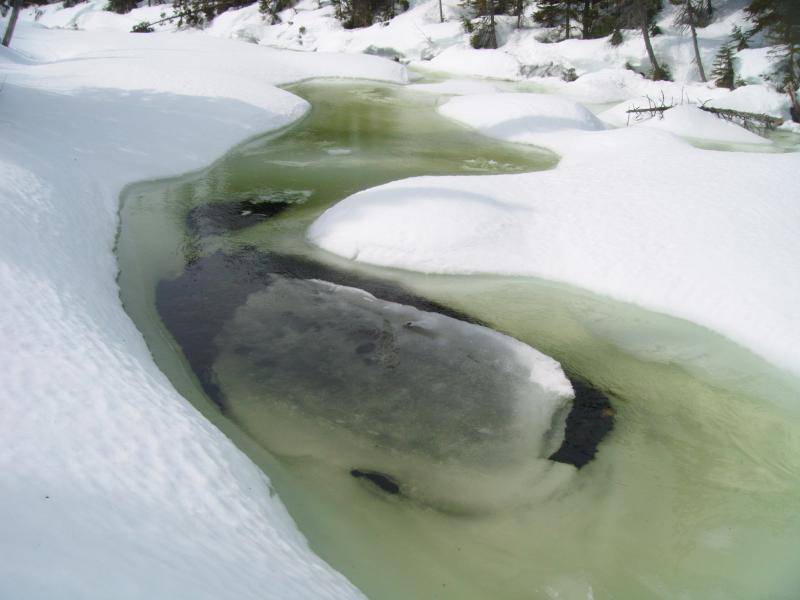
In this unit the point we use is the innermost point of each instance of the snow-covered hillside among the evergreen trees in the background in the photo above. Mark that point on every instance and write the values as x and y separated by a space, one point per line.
417 37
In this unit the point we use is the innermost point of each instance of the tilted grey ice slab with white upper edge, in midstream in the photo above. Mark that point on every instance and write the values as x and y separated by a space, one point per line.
410 381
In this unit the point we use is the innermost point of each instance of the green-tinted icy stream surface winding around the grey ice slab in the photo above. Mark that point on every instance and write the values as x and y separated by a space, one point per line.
695 494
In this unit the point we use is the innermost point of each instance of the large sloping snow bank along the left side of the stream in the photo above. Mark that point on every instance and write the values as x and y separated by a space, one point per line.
111 484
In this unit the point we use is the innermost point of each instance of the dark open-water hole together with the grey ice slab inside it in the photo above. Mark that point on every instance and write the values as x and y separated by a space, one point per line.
435 399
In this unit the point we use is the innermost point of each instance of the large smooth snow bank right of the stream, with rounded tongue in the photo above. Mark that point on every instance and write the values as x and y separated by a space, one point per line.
633 213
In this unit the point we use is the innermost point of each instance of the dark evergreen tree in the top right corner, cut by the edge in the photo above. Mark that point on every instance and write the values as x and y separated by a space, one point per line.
780 22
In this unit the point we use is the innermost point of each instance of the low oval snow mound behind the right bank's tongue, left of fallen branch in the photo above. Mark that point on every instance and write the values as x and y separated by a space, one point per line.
513 116
